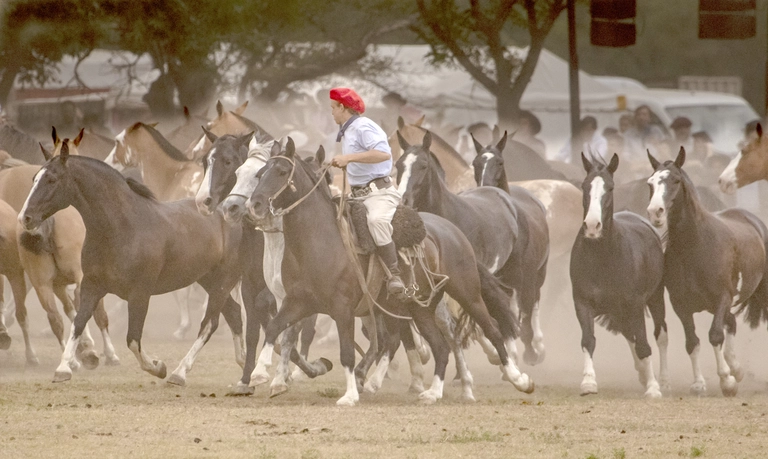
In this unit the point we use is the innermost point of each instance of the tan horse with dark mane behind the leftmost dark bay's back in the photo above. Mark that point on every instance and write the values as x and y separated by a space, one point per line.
164 169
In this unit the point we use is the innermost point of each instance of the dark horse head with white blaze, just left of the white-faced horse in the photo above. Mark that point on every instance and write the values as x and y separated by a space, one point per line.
227 153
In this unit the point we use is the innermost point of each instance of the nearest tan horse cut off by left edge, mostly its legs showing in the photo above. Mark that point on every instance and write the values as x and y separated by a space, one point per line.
10 267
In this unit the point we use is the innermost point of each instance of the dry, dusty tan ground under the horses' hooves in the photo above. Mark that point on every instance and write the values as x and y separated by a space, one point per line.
122 411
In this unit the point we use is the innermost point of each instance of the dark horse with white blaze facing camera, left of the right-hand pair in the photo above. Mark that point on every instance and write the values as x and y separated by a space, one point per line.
616 270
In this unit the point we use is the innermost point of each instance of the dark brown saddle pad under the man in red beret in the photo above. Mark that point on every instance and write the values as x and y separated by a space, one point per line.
408 227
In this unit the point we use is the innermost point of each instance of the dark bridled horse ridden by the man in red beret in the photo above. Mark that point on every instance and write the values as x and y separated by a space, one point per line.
319 276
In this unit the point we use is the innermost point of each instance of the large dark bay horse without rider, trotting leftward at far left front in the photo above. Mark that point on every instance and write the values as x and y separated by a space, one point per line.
136 247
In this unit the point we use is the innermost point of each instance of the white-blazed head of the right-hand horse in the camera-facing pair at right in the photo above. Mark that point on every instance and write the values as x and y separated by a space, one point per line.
666 182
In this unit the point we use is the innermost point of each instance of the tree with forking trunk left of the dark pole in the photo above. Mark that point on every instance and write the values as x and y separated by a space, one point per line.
476 35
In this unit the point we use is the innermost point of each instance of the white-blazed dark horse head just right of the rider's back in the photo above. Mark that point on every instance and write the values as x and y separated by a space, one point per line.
415 169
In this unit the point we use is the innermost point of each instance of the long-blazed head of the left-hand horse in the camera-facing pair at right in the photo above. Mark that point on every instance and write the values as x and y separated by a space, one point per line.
597 195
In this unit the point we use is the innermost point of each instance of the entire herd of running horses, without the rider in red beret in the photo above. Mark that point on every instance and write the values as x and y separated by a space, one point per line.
235 211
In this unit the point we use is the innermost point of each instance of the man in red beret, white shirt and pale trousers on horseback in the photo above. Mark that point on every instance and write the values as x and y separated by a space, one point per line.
368 160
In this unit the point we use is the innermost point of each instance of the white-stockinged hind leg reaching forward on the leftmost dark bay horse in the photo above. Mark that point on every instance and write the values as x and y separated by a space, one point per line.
218 300
